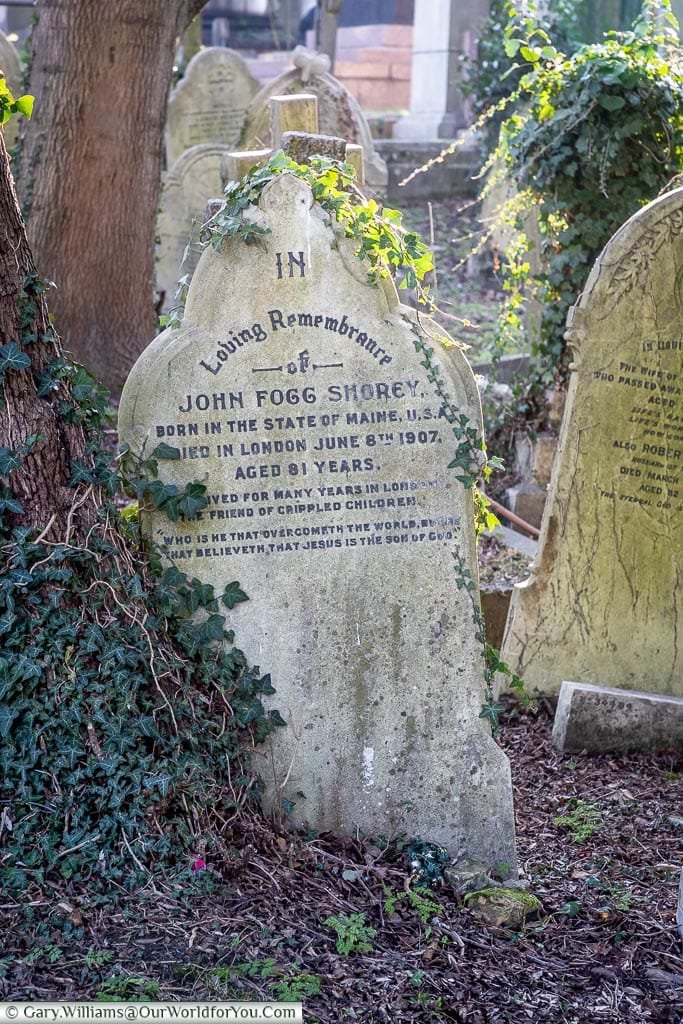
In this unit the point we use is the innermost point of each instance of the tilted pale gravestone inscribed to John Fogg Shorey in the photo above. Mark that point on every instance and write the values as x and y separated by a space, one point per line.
309 402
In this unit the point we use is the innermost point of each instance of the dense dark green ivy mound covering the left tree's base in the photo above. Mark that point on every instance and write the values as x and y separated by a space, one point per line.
127 720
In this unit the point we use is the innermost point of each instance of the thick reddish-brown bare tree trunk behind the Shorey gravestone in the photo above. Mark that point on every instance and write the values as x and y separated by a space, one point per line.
92 167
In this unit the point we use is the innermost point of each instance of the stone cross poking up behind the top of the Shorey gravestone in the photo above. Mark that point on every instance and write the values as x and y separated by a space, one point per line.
294 125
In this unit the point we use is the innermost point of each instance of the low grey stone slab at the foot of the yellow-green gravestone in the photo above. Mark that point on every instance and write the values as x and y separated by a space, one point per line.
603 720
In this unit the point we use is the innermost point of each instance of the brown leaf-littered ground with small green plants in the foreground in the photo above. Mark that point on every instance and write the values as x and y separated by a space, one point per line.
604 949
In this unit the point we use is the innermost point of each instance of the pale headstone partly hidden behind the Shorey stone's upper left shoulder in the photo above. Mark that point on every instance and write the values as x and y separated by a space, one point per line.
194 180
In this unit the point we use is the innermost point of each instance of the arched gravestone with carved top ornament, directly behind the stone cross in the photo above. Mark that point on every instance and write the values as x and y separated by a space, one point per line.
338 114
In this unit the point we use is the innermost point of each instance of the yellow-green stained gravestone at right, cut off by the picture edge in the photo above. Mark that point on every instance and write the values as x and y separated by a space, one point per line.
604 604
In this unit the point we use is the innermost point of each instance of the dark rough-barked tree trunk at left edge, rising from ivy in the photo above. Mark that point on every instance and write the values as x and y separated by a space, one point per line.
39 484
